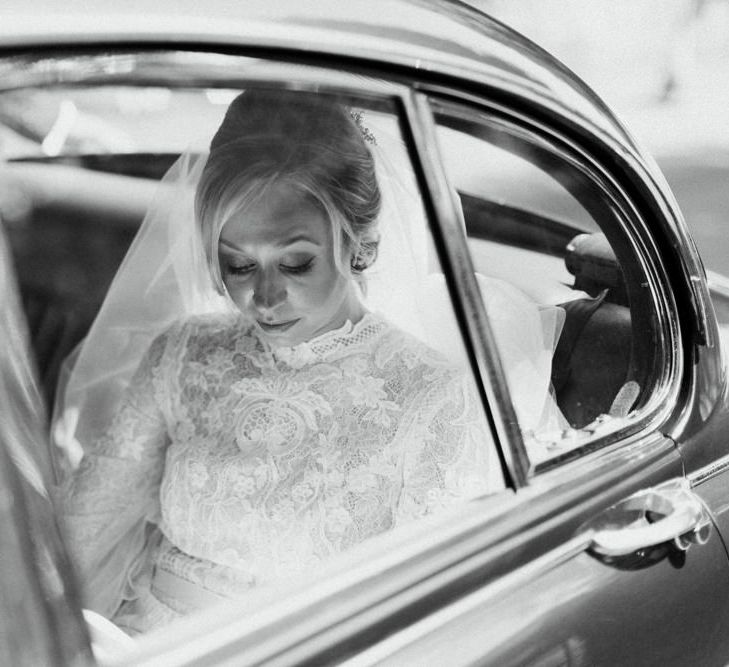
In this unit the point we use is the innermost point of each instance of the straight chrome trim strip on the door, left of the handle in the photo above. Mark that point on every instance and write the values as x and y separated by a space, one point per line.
483 597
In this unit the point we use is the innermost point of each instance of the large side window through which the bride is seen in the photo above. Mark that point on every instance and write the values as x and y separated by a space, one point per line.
272 375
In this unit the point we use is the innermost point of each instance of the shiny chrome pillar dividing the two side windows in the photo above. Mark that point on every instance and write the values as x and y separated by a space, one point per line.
458 258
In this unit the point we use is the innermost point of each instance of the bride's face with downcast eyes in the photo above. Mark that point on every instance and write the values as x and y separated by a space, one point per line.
277 263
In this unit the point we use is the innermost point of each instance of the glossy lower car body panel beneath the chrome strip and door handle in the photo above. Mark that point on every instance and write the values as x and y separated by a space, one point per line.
568 610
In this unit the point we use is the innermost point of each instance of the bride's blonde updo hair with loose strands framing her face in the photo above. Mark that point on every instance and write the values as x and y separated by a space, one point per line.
304 140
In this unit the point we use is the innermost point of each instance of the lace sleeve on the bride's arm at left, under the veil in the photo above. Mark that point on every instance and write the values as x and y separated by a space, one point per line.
110 503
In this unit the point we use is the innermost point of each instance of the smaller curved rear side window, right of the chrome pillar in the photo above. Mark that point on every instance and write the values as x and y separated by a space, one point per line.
545 231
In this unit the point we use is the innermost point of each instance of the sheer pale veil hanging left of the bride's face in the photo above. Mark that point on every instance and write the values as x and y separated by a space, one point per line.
163 278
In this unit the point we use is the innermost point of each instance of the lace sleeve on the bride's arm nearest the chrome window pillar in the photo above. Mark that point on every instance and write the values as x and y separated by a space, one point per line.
454 458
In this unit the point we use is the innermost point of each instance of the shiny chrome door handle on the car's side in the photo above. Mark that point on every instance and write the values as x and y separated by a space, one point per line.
670 512
